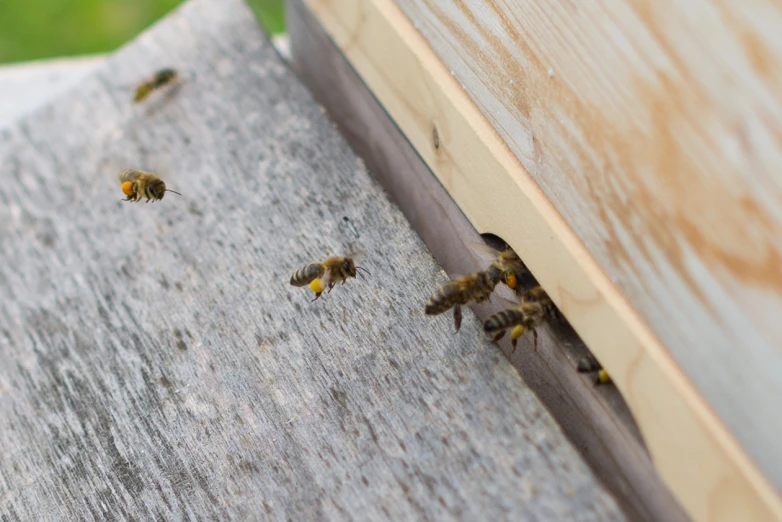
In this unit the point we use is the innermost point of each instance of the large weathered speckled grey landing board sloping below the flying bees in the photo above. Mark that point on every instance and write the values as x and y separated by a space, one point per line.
156 363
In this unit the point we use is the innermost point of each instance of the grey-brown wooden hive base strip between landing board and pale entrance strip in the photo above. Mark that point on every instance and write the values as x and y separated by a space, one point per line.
595 419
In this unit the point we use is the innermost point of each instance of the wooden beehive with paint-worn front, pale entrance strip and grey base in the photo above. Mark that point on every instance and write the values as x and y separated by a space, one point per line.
631 153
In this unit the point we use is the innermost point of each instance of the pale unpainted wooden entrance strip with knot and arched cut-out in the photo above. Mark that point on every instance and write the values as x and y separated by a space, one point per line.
699 459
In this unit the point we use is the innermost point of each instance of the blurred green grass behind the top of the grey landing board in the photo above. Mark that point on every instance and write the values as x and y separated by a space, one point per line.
33 29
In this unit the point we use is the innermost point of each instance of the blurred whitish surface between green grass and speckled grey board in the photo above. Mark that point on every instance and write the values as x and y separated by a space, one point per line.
25 86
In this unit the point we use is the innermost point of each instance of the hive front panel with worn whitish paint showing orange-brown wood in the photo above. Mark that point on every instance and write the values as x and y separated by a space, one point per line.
654 128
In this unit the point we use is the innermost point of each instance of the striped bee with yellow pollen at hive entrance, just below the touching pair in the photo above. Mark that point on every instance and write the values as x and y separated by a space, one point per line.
536 308
